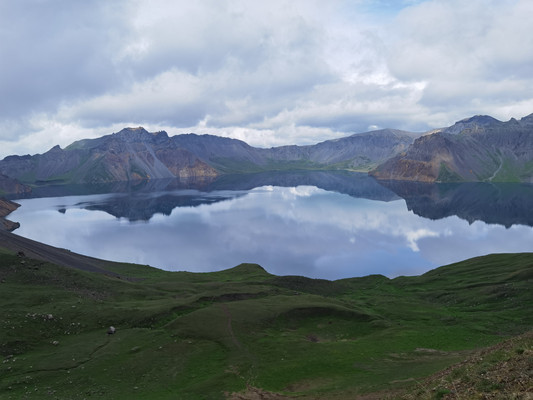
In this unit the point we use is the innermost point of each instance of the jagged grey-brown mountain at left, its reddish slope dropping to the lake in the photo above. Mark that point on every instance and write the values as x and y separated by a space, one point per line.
131 154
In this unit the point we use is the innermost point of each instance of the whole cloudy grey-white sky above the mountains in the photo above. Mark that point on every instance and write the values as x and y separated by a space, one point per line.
267 72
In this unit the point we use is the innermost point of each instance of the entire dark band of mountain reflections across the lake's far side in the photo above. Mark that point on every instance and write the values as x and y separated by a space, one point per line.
505 204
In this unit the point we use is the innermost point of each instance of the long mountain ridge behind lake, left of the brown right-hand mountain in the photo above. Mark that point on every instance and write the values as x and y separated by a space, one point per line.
135 154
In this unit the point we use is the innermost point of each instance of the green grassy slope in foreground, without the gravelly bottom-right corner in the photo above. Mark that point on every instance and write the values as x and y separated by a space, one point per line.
242 332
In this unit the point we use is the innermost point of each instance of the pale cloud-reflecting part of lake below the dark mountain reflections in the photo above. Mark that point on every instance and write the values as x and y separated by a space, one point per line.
289 231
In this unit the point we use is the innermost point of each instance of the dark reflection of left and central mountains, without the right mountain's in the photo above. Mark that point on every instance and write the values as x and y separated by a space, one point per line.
140 201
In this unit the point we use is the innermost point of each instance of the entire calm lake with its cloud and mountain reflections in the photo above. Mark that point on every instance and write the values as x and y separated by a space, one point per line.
328 225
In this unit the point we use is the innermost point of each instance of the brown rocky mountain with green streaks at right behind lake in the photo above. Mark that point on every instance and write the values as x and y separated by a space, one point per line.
480 148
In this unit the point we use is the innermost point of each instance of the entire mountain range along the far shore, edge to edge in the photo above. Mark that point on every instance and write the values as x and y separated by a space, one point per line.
479 148
